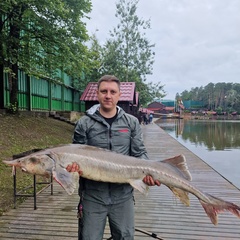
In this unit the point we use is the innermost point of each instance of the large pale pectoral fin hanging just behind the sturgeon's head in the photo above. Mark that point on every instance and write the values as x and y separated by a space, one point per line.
66 179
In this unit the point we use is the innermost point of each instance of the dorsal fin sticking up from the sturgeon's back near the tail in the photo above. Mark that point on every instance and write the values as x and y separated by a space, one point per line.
180 163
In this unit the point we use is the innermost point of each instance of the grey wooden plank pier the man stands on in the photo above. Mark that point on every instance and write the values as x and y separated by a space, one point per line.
159 213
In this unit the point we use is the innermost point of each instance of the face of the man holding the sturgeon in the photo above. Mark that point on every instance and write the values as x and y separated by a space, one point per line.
108 95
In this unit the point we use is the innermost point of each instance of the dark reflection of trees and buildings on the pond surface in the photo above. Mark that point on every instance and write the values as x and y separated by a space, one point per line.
215 135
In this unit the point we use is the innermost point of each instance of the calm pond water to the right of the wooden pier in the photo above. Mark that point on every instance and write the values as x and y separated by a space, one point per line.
215 142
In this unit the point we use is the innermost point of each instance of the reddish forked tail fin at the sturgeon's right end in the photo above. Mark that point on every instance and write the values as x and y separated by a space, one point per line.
217 205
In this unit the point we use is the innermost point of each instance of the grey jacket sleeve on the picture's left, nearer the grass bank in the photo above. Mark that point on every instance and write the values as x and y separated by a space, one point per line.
79 135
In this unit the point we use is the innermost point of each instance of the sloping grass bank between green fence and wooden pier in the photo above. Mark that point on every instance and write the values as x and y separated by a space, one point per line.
20 134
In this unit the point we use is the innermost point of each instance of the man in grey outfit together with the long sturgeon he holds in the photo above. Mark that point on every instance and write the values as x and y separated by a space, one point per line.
107 177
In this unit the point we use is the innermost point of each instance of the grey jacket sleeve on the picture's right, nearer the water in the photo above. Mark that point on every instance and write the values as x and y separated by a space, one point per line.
137 144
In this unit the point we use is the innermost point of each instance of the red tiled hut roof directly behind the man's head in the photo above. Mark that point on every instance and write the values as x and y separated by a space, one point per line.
127 92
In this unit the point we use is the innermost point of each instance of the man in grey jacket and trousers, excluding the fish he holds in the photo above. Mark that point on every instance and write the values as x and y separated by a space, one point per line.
106 125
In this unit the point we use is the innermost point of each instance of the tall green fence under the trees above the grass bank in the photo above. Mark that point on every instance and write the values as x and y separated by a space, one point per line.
38 94
